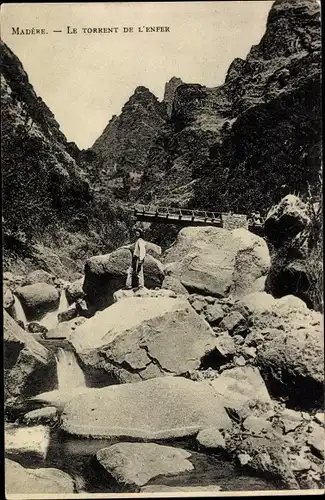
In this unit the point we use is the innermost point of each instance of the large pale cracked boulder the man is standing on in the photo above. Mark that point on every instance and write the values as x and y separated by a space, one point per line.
140 338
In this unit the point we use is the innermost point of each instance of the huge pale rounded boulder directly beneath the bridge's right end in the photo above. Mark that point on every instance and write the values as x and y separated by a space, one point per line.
214 261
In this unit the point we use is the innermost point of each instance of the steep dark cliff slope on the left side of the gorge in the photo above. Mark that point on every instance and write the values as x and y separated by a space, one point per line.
50 200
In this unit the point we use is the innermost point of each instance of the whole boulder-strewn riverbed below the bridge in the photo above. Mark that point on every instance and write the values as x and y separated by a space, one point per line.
202 380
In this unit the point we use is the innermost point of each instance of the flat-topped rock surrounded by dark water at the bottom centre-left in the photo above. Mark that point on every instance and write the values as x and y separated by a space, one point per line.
134 464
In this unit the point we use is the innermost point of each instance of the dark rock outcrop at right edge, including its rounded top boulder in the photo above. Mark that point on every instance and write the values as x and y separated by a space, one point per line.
294 230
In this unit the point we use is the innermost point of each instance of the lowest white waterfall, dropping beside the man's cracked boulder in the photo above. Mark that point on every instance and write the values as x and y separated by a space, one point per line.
69 373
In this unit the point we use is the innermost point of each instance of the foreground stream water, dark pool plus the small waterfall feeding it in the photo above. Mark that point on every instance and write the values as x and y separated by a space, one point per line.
76 456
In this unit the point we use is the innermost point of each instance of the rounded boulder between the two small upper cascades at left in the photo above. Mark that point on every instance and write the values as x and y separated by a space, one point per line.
37 299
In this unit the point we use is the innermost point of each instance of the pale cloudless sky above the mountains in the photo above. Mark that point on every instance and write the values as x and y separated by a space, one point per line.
86 78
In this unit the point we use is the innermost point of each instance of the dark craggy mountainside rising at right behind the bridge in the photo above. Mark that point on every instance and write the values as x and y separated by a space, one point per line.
240 146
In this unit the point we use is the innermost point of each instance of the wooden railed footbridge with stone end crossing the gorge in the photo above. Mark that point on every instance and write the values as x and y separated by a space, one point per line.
188 217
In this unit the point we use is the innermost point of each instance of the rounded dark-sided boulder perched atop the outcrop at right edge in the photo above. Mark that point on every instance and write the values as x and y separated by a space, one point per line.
285 220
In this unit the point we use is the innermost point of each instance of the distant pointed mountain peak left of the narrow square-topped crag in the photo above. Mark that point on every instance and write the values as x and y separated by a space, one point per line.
124 144
